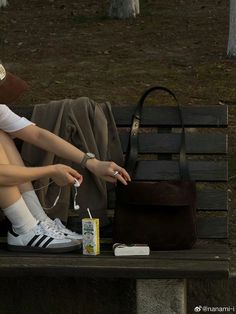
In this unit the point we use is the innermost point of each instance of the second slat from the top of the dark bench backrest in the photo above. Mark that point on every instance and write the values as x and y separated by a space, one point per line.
150 143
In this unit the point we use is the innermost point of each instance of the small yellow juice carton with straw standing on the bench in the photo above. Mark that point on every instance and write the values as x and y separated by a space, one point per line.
91 241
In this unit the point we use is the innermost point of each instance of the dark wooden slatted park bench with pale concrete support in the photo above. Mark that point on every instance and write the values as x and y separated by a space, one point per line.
162 275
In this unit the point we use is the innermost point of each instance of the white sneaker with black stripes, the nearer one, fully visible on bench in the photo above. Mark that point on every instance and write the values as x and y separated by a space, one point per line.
42 238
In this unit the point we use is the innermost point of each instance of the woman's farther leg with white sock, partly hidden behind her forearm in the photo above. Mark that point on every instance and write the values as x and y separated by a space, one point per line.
26 189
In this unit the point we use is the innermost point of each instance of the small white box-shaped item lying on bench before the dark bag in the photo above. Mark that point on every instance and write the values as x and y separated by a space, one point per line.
129 250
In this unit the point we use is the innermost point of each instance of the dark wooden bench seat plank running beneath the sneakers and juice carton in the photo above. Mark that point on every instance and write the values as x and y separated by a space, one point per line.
112 267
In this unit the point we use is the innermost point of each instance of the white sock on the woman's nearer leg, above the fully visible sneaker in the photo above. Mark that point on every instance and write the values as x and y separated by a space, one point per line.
21 218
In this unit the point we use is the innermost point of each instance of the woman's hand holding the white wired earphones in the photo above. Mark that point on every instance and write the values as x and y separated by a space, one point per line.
63 175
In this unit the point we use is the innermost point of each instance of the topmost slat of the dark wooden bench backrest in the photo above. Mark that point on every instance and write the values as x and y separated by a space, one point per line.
214 116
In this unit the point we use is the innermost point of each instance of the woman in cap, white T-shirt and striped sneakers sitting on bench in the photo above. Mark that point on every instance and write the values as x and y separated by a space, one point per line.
32 230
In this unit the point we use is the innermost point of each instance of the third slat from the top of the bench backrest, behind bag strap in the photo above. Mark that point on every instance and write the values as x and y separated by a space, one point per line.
169 170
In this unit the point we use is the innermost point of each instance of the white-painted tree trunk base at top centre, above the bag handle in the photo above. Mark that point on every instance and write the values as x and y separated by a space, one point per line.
124 9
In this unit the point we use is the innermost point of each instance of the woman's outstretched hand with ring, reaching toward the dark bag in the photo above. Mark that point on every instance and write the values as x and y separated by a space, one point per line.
108 170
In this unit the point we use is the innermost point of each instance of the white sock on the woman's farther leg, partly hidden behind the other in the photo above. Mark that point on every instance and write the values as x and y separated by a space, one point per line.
32 201
